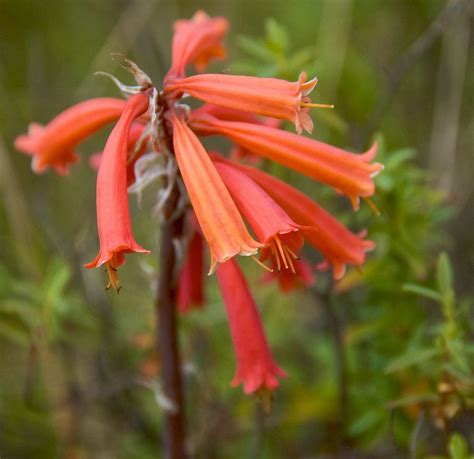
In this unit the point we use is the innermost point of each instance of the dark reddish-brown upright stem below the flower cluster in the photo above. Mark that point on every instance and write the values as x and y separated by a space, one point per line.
167 338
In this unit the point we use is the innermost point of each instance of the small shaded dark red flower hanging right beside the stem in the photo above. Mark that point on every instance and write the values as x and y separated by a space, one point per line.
191 277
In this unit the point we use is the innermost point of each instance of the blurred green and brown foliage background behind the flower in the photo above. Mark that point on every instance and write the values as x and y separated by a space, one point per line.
380 364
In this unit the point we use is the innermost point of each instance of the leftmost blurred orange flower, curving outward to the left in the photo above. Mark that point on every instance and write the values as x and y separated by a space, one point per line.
53 145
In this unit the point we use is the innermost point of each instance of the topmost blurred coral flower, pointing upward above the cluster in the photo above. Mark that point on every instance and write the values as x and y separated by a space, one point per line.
197 41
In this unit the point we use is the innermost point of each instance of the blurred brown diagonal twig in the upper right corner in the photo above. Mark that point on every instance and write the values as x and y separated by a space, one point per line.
422 44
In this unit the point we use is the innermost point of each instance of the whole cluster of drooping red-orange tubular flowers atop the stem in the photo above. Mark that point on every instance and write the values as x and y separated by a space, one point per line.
236 209
